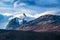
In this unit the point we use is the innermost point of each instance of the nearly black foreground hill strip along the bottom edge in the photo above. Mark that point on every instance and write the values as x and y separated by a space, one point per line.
28 35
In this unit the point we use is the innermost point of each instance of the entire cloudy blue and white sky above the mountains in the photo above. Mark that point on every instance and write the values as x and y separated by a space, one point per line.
32 8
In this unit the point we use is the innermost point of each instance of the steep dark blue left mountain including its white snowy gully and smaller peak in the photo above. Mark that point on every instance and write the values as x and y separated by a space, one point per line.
14 23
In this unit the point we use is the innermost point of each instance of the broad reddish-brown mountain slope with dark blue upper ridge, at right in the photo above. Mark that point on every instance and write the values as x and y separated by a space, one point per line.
43 23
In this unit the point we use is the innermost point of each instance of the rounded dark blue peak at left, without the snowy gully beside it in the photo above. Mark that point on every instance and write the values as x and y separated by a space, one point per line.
14 23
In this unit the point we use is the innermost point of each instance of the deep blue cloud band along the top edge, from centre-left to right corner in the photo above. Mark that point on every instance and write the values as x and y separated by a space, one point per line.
40 2
